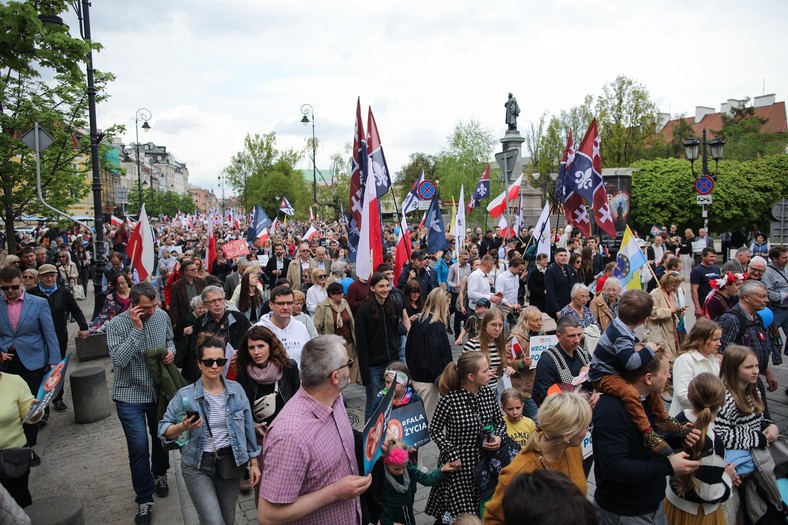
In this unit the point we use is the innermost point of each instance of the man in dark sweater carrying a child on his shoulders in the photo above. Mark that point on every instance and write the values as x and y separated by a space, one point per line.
630 479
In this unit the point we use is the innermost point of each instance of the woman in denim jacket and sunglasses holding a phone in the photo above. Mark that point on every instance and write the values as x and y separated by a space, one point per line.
218 416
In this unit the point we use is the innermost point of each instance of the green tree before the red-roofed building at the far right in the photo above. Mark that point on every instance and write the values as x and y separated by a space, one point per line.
744 135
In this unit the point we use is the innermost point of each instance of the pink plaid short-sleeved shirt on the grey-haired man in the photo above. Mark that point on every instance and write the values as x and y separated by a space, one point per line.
309 446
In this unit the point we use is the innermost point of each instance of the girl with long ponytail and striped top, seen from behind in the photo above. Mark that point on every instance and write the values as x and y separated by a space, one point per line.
695 499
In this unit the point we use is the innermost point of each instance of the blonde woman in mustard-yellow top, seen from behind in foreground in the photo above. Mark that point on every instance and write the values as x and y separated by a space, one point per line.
563 424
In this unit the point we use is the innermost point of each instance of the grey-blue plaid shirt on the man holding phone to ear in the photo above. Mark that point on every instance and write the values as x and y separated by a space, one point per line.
133 382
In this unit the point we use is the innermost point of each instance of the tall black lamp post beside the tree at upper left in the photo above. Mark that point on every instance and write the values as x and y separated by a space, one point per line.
82 10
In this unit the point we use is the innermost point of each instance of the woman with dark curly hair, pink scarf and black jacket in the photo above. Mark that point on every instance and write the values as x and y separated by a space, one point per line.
268 376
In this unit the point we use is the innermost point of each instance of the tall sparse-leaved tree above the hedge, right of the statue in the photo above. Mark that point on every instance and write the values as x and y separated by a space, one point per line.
627 119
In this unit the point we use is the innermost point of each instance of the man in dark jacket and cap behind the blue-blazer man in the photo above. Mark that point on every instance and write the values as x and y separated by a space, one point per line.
61 303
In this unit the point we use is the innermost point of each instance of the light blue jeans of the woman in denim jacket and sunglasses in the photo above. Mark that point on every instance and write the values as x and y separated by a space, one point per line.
214 499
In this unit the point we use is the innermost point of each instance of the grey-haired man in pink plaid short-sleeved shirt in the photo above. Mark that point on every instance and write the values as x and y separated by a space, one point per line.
310 473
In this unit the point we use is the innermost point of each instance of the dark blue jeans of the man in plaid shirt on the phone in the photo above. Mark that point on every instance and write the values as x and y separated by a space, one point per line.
144 464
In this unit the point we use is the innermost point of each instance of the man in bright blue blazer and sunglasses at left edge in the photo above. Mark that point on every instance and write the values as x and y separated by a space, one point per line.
28 343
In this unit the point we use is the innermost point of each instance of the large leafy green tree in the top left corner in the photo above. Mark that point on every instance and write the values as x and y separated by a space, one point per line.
58 103
